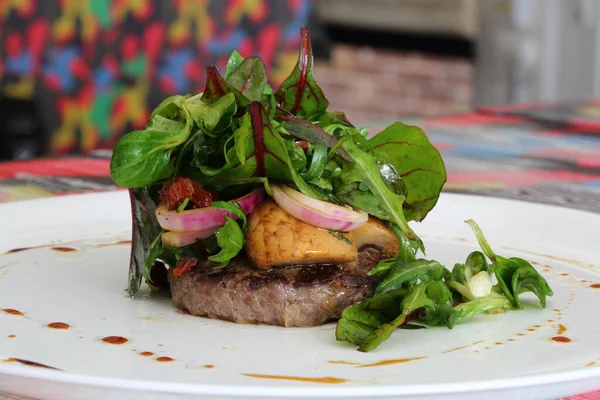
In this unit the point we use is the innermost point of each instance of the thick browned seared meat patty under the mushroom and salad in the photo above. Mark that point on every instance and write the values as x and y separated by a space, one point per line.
304 295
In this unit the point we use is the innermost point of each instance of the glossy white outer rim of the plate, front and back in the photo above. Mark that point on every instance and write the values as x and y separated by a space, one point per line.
293 389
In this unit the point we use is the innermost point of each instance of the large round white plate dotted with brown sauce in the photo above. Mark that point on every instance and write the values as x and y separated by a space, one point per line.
505 356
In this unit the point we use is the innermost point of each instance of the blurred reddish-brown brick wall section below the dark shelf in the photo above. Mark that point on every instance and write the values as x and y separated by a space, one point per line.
373 84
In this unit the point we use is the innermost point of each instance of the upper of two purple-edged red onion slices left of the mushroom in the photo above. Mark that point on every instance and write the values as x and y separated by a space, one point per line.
202 219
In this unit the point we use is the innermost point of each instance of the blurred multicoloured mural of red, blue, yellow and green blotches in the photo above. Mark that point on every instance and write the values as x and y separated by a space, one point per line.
98 67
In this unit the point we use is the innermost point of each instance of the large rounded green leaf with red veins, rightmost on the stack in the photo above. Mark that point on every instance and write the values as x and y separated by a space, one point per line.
416 161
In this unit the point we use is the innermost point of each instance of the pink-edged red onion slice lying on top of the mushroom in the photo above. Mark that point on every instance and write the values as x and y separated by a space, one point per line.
317 212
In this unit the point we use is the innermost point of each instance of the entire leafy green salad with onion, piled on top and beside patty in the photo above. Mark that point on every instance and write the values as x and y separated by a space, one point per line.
205 161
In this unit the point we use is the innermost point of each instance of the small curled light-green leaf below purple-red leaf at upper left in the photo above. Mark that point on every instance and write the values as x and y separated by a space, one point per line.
215 117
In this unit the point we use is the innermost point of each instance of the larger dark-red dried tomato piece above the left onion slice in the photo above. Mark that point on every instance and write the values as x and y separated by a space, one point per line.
174 193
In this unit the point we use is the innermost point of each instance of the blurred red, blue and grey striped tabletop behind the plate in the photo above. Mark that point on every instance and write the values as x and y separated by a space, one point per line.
543 153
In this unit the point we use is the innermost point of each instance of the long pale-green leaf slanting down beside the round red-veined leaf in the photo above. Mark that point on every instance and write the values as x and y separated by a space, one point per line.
365 170
